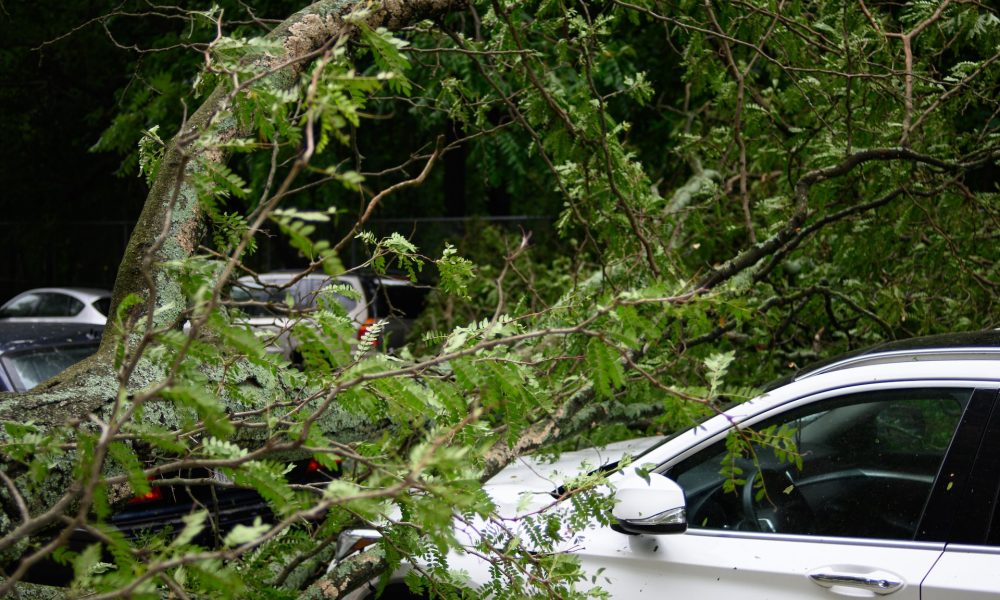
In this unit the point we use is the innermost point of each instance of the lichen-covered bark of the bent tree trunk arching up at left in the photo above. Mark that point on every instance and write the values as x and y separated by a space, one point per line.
85 388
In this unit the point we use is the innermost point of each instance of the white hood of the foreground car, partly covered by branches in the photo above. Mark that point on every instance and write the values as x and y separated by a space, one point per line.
539 476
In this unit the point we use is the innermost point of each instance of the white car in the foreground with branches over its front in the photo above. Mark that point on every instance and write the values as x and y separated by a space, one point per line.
893 488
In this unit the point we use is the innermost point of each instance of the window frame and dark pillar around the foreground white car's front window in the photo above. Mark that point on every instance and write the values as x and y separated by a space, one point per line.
970 432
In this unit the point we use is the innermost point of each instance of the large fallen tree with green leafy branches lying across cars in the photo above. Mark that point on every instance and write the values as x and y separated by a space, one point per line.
788 218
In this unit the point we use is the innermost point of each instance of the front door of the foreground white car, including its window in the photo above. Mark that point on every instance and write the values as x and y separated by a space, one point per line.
825 500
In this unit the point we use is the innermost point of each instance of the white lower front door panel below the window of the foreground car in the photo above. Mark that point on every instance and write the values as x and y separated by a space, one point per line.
693 564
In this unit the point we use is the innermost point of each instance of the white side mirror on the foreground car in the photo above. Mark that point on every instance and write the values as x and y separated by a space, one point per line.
654 505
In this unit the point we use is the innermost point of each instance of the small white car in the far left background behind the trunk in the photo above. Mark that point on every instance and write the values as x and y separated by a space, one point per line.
58 305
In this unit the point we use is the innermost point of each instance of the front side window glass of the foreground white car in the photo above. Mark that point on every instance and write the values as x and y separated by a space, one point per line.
861 465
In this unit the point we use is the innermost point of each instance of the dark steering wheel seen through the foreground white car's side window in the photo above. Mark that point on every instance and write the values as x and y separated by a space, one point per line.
782 508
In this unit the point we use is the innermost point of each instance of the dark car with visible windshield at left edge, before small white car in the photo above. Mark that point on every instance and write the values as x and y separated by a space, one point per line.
31 352
